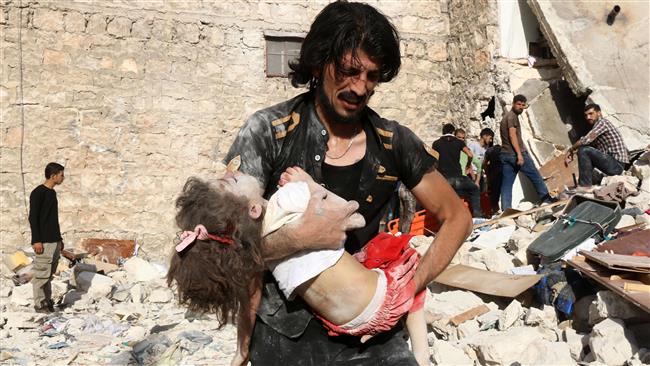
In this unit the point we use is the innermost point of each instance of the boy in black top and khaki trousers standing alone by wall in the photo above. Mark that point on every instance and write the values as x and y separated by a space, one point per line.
46 236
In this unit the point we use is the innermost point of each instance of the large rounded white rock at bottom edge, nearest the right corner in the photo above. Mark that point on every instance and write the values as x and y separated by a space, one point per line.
611 343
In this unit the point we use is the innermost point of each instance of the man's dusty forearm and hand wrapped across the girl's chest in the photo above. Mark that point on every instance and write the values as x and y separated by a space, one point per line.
322 226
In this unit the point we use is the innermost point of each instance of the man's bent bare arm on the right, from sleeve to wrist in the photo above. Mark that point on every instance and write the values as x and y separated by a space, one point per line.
435 194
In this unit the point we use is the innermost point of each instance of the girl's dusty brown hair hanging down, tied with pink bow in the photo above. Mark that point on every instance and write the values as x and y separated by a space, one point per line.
211 276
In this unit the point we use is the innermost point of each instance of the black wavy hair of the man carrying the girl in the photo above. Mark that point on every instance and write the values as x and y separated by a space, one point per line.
343 27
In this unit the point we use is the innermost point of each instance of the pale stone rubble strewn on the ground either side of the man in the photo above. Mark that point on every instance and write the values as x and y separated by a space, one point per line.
534 313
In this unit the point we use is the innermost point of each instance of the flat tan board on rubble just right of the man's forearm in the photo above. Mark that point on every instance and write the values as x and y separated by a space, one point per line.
486 282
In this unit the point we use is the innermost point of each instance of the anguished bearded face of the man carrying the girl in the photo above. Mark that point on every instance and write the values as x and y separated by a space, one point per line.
343 96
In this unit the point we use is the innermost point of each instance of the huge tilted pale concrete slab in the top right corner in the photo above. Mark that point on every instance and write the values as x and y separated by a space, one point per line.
623 99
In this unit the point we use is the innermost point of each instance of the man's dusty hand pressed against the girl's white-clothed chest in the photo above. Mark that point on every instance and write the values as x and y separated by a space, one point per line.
325 221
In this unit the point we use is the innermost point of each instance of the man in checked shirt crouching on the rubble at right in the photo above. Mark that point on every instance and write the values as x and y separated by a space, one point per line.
603 148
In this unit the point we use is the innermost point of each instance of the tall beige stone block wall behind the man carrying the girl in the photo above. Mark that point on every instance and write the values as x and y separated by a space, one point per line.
134 97
